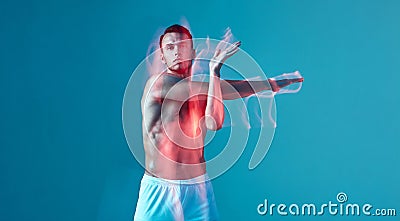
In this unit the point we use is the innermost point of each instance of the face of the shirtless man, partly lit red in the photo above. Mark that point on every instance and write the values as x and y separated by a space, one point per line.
177 52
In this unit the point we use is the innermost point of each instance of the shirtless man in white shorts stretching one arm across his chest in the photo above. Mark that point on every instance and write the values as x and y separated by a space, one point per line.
177 112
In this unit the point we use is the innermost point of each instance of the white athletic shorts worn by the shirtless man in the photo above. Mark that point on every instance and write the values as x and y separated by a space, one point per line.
176 200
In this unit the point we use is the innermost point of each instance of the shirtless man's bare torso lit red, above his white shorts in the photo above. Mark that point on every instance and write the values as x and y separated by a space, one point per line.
173 132
